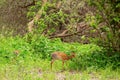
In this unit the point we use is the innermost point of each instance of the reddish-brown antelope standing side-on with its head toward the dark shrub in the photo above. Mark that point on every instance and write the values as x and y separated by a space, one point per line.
61 56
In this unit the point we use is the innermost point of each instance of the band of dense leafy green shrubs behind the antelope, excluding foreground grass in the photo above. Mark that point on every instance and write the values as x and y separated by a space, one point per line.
34 48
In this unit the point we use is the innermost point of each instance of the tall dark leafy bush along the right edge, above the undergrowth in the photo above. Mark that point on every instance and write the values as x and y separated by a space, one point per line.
107 13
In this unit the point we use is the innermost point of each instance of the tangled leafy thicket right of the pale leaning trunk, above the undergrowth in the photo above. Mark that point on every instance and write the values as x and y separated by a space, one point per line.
104 21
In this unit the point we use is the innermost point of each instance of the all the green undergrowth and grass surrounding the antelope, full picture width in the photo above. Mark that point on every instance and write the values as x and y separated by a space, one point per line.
32 62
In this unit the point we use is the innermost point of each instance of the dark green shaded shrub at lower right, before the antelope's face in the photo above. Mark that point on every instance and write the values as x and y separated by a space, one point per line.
96 59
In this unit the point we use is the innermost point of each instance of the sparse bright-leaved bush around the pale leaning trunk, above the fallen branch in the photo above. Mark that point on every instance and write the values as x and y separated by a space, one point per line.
54 17
